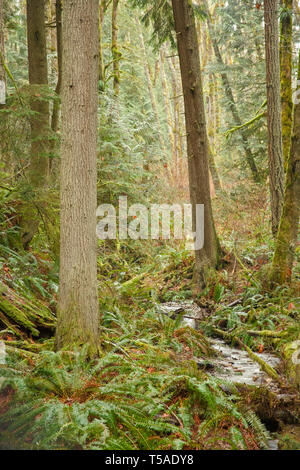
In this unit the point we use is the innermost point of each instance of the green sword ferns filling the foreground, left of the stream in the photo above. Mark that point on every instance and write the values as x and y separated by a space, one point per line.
138 395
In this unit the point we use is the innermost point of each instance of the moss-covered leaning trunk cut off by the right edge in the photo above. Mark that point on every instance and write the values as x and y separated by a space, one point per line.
289 224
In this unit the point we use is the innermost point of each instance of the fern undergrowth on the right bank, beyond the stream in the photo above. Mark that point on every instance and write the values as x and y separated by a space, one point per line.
262 320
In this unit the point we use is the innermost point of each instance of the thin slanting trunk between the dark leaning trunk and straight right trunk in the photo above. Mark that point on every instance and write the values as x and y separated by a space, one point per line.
231 101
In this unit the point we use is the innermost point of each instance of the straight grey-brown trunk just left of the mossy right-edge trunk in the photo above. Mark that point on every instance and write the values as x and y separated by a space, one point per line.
276 173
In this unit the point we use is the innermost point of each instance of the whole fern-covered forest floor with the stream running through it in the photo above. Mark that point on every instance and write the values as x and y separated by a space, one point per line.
160 380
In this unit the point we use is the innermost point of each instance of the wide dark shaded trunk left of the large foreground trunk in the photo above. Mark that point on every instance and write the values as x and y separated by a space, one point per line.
39 121
